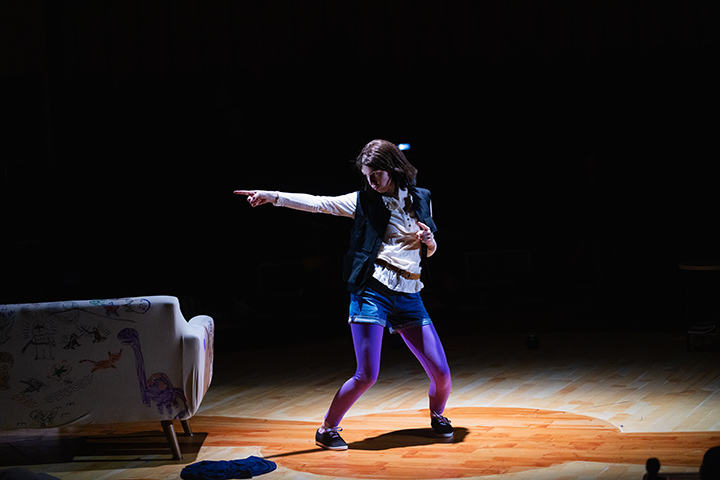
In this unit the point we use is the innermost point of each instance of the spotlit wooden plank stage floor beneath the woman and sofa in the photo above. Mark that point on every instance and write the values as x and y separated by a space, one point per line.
584 405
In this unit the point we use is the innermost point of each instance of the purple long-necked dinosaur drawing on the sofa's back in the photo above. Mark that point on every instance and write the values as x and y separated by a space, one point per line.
157 388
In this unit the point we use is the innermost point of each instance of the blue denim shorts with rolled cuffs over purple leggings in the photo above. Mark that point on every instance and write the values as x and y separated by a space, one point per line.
378 305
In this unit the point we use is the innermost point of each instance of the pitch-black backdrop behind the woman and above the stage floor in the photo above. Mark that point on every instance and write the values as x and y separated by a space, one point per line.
570 148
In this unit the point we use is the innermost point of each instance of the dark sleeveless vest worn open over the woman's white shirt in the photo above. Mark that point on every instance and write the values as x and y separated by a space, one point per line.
371 221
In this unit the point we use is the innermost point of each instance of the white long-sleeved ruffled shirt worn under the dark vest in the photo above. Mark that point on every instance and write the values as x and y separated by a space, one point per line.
400 246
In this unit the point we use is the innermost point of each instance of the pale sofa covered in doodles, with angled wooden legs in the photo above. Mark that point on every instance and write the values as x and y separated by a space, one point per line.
103 361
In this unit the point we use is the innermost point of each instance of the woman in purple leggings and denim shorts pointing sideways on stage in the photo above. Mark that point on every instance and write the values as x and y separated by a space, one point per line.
392 235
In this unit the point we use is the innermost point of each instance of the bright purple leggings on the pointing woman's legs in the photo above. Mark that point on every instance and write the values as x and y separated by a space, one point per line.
423 341
